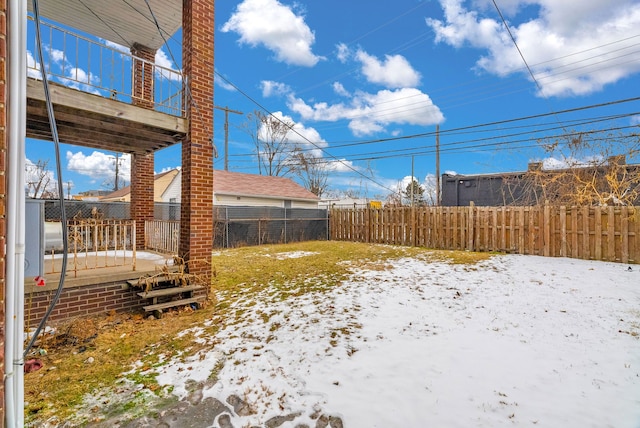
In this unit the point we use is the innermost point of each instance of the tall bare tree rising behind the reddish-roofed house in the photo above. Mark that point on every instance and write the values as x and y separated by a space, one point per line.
272 146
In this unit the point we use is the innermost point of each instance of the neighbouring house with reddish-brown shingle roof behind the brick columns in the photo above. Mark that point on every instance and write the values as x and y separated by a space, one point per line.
234 189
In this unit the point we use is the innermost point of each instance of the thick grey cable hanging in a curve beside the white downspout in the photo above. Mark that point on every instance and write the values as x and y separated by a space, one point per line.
63 216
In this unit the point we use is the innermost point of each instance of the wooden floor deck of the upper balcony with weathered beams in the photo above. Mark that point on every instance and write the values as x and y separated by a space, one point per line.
89 120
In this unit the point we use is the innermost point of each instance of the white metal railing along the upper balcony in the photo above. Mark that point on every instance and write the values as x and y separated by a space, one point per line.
102 68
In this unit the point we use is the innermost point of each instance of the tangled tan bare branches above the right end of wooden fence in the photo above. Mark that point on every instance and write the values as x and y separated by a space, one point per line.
587 169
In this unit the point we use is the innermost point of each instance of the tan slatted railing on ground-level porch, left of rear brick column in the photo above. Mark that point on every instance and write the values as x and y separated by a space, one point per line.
94 244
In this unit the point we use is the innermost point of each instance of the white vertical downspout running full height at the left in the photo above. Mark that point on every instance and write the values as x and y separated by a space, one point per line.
14 303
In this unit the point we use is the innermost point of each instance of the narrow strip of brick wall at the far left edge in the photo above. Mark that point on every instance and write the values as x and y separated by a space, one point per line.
3 189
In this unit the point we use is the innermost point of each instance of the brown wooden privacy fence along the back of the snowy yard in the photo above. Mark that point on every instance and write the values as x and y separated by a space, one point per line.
598 233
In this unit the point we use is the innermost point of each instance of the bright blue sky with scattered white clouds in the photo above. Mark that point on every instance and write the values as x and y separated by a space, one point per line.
367 82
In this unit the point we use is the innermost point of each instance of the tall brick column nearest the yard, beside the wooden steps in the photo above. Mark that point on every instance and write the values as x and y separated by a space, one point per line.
196 215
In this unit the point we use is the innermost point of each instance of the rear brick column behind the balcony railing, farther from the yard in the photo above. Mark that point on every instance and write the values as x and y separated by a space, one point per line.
142 163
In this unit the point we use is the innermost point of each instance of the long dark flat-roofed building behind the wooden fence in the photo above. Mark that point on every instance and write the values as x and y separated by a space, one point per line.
533 186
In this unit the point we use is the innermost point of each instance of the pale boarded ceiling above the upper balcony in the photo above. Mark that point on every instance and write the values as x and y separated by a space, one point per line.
120 21
